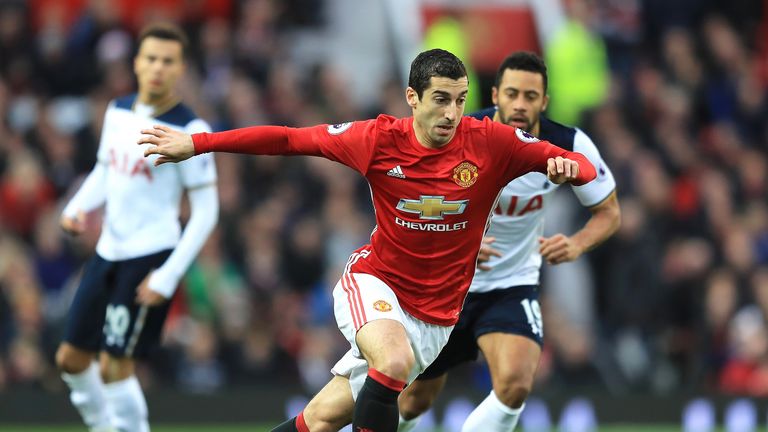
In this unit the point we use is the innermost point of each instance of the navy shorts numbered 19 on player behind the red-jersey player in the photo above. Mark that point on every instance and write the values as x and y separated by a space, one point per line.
513 310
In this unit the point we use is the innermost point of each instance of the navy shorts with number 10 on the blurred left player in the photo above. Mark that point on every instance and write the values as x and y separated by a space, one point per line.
104 315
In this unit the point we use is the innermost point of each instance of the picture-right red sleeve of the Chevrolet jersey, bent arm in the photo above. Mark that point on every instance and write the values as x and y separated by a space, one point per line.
527 153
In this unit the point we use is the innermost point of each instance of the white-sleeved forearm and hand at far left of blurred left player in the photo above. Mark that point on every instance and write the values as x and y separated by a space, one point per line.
92 194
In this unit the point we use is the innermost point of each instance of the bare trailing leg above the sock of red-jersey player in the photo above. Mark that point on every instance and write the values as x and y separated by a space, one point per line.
332 407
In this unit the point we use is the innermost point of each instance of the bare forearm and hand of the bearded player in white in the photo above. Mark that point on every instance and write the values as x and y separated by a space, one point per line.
602 224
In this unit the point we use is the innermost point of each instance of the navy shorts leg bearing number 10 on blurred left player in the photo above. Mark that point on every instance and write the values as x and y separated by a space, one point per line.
132 330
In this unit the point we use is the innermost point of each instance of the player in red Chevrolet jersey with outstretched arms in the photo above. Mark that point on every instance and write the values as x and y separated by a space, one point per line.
434 178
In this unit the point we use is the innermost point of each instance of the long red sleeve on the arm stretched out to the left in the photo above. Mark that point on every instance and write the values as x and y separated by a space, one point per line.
351 144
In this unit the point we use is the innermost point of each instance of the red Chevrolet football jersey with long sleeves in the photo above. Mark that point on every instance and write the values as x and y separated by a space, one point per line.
432 205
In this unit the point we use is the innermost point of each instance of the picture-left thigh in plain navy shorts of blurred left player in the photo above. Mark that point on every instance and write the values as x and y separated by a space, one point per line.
85 320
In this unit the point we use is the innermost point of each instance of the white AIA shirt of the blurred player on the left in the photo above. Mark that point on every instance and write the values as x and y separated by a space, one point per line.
143 201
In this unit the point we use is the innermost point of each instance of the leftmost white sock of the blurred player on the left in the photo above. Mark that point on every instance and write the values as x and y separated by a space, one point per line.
87 395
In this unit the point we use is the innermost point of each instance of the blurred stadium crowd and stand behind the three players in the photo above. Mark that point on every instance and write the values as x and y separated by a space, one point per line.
668 315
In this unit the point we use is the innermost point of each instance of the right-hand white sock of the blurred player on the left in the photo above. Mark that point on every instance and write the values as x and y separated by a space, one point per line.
128 405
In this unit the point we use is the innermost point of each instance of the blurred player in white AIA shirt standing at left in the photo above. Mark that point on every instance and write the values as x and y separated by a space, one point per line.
122 301
